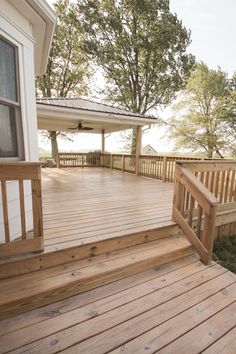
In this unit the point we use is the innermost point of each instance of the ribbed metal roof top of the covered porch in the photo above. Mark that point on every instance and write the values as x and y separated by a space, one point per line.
87 105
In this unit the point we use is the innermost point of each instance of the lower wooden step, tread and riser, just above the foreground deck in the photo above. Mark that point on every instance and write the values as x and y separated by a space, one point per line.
42 287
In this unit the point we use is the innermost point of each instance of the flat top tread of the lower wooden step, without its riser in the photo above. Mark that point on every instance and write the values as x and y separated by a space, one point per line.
40 282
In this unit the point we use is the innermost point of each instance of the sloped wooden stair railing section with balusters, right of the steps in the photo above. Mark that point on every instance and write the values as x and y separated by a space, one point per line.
192 197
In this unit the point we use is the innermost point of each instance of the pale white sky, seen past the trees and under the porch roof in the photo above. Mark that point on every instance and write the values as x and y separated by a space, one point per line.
213 33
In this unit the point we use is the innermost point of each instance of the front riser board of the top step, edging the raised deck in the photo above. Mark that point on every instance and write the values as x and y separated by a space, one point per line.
18 265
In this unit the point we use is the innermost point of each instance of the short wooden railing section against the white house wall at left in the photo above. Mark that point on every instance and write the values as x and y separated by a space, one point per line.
17 174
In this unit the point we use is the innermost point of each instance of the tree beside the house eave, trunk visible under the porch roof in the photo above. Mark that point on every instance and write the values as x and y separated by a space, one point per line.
68 70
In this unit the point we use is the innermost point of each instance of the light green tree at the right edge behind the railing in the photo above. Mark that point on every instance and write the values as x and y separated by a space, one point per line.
204 114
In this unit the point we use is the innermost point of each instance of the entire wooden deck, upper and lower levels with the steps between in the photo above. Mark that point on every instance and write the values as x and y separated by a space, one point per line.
93 291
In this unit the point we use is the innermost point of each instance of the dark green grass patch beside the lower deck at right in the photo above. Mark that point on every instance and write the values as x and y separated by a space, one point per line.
225 253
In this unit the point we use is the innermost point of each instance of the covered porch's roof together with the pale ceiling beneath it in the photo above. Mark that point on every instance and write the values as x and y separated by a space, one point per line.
64 114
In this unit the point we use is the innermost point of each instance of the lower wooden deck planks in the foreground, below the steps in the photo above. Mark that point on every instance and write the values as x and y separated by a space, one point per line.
179 307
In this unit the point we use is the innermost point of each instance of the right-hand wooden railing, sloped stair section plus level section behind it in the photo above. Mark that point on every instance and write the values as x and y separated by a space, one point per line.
204 198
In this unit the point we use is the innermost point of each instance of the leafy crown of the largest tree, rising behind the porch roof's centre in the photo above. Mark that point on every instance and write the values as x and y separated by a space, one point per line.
141 47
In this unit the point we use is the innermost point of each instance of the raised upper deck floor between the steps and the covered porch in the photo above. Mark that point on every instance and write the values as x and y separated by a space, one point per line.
85 205
